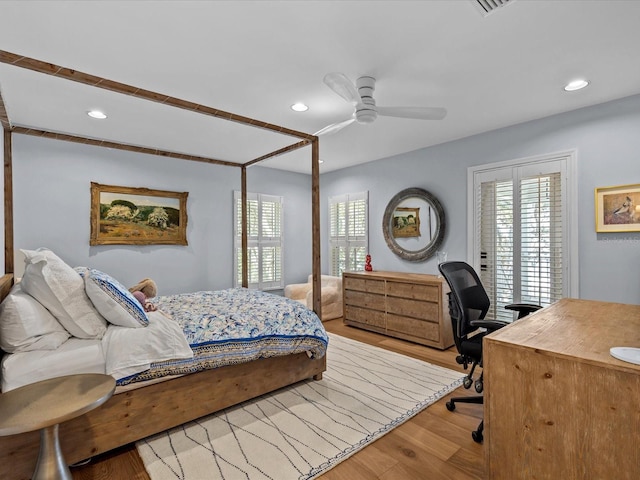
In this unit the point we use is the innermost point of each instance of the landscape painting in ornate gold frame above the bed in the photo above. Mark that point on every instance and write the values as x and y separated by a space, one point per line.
137 216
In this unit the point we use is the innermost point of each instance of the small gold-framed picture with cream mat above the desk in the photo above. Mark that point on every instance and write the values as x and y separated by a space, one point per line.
618 208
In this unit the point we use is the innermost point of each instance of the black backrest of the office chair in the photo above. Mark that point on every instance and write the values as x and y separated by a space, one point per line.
468 299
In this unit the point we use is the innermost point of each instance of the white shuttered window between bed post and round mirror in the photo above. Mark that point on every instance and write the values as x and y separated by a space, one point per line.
348 236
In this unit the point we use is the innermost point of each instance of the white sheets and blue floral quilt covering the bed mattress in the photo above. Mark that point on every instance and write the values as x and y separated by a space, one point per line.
189 333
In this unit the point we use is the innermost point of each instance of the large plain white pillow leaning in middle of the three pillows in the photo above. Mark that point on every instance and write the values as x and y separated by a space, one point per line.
60 289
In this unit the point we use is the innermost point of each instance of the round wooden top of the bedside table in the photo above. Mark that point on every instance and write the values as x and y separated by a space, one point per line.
42 404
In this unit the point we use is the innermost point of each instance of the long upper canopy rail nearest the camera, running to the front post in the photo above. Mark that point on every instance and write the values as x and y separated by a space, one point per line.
122 88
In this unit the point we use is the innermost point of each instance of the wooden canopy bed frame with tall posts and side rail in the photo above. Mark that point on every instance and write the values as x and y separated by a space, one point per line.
138 413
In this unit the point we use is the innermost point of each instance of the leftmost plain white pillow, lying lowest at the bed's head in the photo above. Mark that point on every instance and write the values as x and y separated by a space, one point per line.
25 325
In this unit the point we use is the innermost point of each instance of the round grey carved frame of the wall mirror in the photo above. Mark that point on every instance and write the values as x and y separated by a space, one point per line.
437 238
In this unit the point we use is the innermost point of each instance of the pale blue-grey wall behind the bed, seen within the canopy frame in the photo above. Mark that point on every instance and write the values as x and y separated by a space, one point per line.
52 209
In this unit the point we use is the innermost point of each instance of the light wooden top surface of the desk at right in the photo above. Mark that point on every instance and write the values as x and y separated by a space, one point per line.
580 329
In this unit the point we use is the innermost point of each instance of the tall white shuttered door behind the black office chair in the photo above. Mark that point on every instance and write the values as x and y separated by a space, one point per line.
521 231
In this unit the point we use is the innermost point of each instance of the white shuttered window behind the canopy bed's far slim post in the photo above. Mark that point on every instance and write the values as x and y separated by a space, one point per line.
264 236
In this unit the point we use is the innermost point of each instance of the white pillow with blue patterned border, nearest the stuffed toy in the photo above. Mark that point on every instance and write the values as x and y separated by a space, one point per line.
112 299
